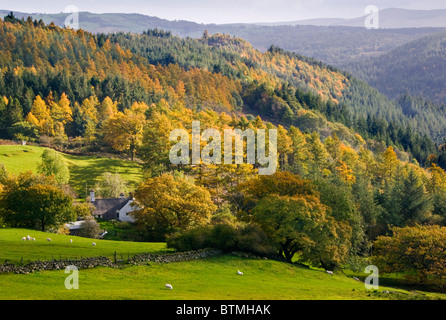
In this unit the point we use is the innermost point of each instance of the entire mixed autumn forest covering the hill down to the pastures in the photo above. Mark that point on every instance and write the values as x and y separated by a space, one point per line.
353 168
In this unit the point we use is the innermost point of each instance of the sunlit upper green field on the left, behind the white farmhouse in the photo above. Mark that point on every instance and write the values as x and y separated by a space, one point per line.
84 170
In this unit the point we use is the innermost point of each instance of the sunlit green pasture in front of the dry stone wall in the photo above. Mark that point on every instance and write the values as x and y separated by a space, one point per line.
208 279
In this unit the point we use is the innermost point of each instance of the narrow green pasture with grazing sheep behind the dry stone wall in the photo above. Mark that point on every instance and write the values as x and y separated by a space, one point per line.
12 248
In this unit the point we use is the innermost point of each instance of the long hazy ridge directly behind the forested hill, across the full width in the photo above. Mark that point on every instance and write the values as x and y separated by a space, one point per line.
336 45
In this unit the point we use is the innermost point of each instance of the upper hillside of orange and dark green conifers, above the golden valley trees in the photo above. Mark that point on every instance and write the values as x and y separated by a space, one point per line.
217 72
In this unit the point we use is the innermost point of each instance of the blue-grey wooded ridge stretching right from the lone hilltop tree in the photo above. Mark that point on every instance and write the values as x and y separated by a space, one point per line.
336 46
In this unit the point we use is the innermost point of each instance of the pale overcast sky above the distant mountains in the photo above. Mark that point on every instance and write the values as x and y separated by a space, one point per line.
224 11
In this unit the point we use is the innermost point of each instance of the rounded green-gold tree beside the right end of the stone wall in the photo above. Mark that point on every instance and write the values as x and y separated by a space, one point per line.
300 224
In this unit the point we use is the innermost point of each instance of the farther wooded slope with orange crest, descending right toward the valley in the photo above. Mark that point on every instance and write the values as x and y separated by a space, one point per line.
322 89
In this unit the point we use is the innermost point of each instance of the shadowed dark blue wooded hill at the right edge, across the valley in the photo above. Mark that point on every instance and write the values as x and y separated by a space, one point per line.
417 68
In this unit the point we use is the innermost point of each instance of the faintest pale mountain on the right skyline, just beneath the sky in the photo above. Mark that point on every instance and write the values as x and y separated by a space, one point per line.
388 19
